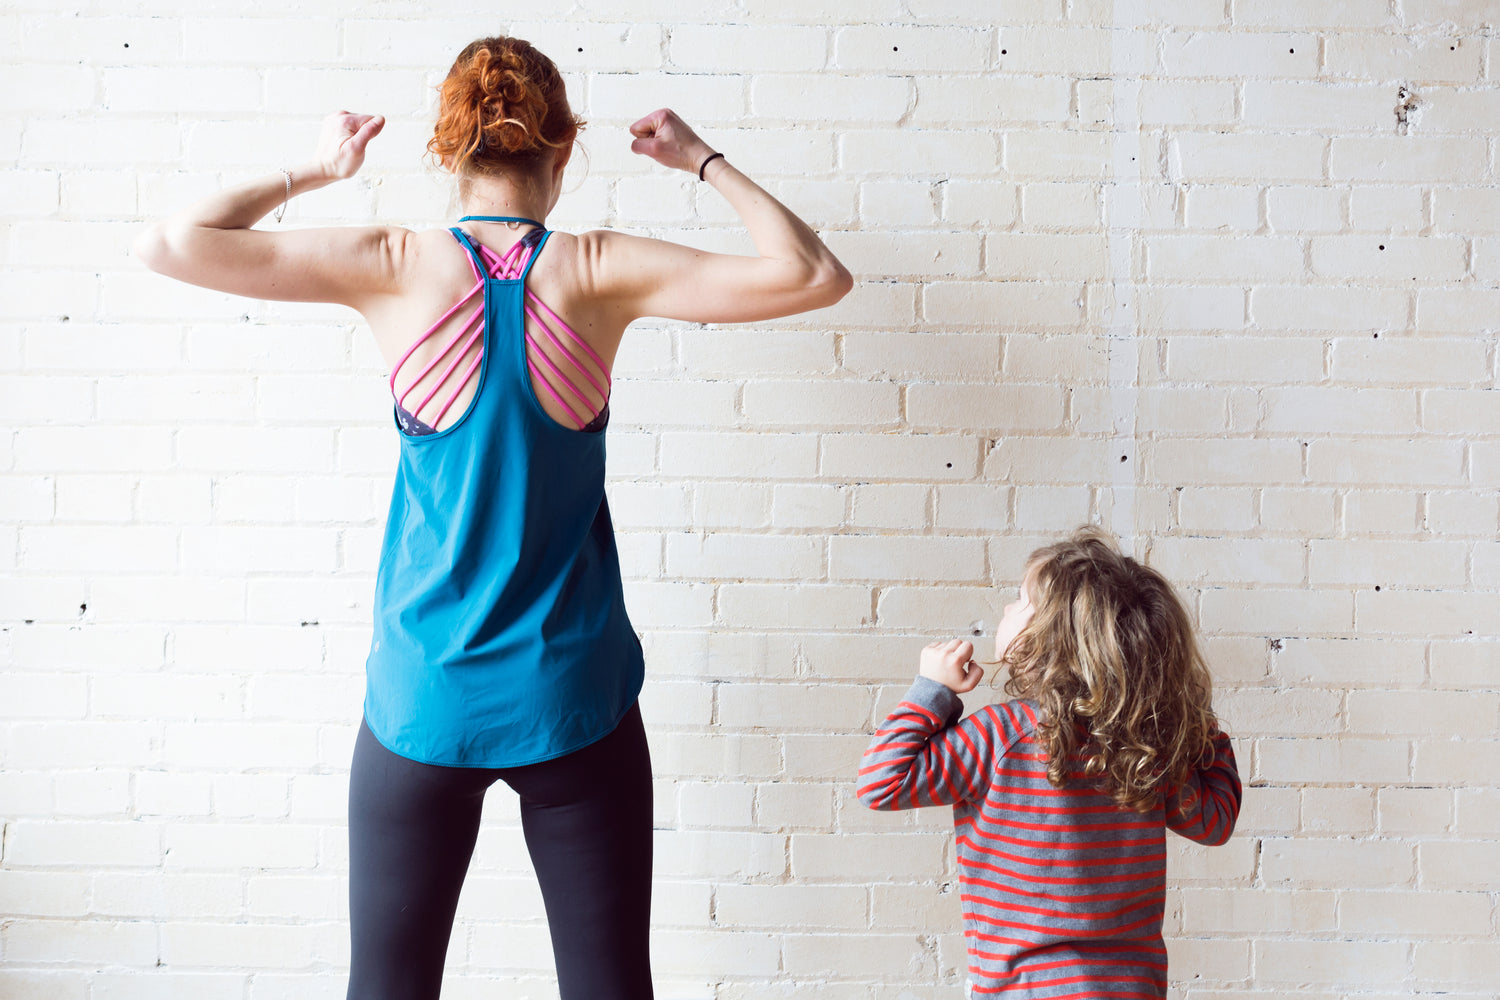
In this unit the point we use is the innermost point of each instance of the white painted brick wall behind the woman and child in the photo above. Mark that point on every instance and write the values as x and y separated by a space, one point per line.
1166 266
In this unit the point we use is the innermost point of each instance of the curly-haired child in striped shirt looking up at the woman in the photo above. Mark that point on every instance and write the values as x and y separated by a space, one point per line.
1063 797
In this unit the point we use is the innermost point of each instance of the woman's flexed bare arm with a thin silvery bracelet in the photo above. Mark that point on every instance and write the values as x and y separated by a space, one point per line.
212 244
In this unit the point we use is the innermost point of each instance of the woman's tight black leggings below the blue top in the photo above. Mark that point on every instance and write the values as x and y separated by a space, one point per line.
587 819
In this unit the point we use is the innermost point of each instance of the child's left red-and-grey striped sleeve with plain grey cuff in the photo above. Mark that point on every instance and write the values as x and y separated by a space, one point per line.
920 758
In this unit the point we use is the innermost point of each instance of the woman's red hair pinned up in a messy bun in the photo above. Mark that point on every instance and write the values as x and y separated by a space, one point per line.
502 106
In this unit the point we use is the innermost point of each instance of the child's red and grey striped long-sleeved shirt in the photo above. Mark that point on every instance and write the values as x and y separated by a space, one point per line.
1063 890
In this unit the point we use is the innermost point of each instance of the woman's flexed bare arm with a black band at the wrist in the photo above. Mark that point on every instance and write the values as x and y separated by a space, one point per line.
794 272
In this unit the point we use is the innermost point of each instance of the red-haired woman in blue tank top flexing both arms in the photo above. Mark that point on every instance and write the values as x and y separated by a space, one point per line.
502 644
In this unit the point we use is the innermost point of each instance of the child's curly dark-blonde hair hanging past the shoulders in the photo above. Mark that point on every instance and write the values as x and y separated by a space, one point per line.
1112 660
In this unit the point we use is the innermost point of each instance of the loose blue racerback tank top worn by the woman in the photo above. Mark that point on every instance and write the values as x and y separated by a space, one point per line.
502 635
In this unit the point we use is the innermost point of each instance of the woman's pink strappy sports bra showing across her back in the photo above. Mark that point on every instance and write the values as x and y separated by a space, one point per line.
580 391
